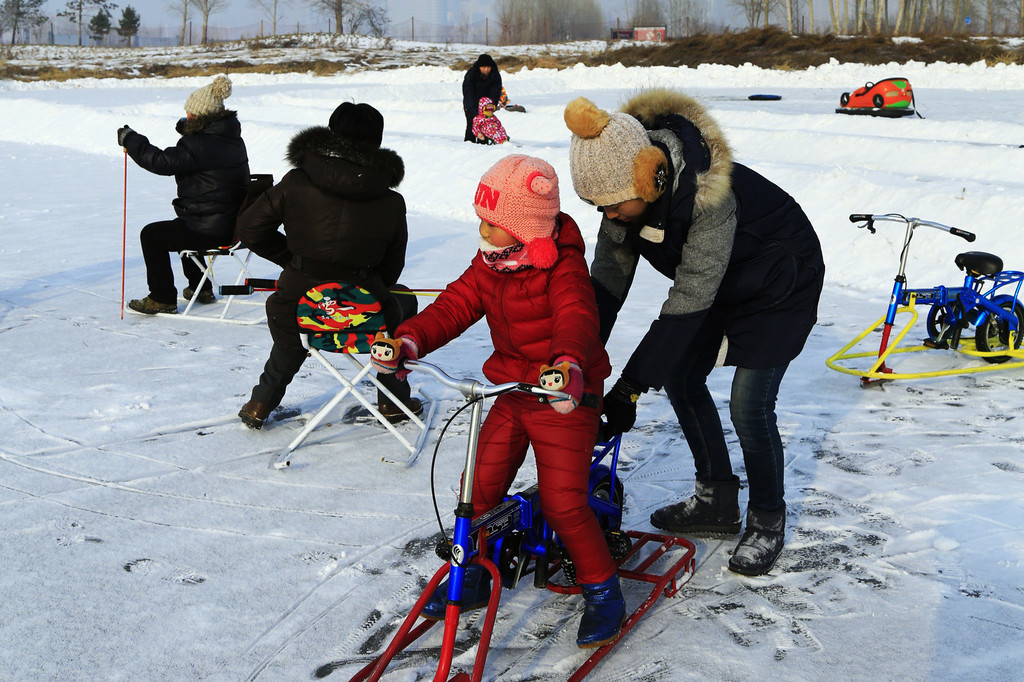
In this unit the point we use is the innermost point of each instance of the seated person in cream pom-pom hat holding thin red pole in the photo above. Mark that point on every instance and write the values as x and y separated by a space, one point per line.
211 168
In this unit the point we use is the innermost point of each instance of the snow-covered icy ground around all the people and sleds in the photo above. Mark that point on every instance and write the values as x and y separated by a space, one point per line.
145 536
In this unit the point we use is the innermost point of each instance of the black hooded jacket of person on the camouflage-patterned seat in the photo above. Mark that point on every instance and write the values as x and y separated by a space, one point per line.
344 221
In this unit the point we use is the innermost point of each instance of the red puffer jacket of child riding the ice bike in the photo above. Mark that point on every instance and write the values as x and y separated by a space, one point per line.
535 316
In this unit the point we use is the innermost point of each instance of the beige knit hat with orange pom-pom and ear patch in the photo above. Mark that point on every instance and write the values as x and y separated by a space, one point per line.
611 157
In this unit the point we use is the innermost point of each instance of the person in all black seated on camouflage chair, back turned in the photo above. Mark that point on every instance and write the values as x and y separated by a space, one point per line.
344 223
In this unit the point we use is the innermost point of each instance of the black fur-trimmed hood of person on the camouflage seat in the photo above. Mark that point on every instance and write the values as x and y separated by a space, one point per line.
339 167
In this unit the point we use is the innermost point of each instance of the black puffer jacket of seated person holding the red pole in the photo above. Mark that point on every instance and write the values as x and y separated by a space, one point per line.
210 166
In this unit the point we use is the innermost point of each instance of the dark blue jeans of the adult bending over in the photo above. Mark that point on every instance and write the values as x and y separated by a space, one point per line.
752 408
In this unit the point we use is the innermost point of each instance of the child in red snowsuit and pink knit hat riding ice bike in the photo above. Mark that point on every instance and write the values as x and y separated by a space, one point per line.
530 281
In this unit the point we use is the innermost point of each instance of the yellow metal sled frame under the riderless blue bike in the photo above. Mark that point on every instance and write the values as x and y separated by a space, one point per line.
879 371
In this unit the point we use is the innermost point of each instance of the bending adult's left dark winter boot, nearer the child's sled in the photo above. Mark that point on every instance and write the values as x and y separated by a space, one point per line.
713 508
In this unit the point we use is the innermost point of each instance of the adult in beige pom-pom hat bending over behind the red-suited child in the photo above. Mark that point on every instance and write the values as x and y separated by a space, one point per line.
746 267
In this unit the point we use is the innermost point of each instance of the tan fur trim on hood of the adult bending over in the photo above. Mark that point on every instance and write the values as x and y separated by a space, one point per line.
648 107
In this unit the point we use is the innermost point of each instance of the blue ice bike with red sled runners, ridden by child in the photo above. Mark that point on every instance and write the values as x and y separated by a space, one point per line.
514 540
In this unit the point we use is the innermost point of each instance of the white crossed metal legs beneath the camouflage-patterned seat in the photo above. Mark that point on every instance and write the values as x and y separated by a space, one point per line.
363 372
